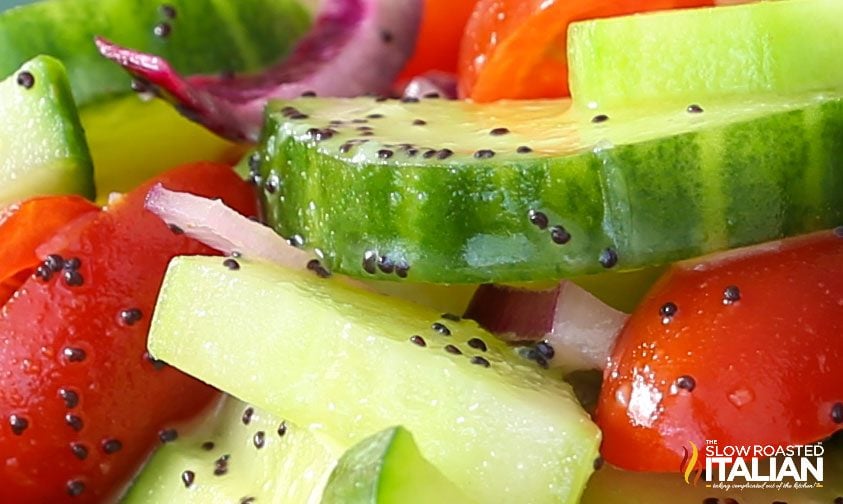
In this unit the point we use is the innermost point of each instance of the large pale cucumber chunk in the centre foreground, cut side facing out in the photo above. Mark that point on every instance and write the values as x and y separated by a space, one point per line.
508 432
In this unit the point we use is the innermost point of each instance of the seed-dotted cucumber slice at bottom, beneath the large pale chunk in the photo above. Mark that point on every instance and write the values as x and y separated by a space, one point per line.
194 469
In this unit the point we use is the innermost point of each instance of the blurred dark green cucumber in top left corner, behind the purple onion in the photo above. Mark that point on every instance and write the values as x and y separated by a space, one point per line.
203 36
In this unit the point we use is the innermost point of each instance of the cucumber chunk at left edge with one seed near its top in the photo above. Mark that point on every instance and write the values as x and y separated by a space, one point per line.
42 144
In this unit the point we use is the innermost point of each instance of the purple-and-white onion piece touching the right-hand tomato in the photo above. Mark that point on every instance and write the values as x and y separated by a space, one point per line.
578 328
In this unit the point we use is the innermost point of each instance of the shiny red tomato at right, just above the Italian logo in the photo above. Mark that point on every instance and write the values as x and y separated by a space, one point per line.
765 369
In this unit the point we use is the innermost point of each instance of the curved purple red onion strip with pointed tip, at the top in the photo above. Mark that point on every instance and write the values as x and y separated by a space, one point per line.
335 59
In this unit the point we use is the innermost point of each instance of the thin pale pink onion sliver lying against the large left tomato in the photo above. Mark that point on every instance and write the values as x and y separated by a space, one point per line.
219 227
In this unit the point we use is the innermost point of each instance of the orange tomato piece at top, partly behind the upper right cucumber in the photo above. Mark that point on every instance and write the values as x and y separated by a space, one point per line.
518 48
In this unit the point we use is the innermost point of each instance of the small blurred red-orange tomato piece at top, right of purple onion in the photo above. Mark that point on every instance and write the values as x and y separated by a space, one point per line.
438 43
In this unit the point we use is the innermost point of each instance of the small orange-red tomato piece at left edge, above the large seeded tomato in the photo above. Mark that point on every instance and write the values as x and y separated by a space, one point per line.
27 225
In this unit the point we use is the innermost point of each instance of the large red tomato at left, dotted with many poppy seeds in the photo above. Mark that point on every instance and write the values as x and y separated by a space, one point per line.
81 402
